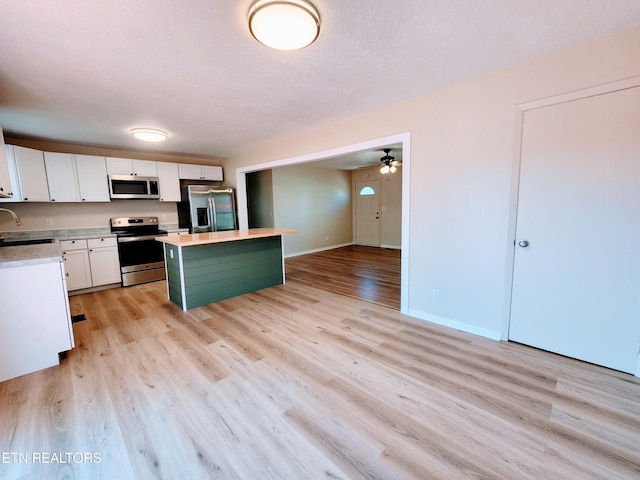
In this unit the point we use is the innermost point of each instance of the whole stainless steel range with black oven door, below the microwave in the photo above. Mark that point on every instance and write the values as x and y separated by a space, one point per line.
141 256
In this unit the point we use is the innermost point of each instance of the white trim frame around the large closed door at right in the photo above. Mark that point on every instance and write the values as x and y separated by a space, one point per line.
521 109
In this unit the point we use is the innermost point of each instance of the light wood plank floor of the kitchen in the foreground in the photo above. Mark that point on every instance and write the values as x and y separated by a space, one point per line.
294 382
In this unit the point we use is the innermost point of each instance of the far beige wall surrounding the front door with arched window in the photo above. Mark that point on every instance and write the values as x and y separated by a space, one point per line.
390 203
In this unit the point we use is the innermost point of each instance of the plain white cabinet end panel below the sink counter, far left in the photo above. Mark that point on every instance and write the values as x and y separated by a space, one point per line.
36 323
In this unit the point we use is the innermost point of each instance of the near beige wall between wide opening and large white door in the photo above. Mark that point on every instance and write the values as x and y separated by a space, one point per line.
463 162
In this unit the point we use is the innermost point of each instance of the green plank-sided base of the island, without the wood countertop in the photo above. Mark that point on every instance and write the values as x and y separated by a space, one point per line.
218 271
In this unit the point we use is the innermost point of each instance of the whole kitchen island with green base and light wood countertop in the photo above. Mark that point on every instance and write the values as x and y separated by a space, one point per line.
204 268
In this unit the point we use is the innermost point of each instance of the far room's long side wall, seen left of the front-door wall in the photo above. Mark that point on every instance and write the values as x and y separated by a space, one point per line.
317 201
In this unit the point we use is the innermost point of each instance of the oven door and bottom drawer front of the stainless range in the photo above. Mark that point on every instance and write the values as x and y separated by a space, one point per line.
141 259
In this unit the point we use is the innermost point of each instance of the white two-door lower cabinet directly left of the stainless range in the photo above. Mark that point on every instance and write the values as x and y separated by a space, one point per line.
91 262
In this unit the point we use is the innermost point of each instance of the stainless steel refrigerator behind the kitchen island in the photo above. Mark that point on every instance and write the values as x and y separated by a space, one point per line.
211 209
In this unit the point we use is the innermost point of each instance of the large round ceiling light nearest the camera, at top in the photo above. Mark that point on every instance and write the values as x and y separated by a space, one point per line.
285 24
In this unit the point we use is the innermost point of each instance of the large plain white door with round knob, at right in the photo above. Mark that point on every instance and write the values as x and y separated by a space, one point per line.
576 285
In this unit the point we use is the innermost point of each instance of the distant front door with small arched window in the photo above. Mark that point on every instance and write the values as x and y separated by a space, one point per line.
368 213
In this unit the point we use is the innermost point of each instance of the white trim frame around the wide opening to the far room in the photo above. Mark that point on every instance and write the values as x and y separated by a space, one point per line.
402 138
